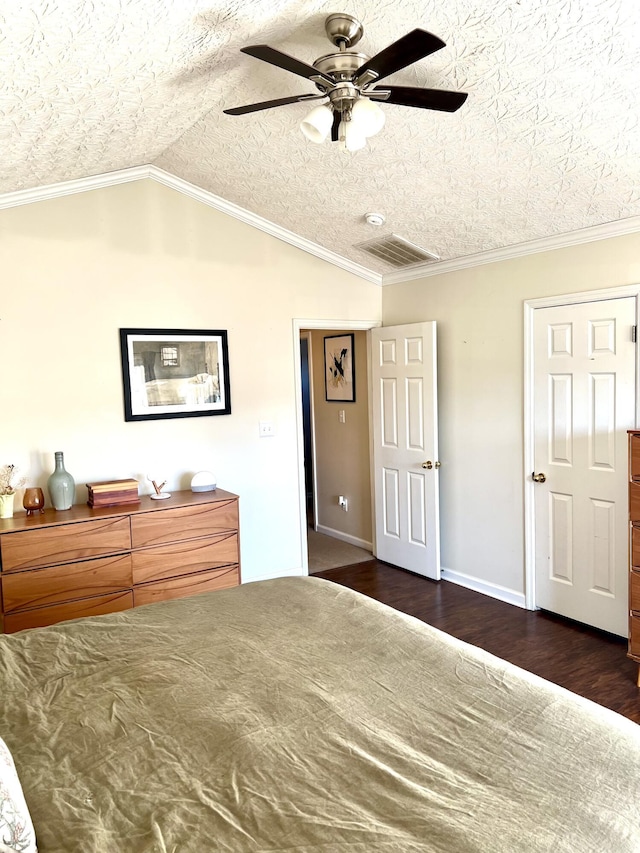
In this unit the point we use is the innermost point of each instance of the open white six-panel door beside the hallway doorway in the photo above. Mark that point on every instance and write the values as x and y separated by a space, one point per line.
405 440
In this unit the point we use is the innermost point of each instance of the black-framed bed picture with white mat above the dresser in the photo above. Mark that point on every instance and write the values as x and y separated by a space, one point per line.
174 373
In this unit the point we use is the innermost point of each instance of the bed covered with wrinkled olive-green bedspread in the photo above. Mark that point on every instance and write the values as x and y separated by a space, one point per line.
298 715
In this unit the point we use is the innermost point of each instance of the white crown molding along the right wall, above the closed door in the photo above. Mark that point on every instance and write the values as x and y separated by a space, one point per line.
545 244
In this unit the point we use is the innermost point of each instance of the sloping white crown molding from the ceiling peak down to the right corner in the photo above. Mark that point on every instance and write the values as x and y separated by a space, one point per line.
265 225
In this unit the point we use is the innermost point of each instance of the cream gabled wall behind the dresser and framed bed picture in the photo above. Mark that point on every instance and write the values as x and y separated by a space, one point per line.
76 269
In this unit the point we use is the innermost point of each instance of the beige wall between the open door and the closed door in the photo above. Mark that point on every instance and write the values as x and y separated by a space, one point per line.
479 312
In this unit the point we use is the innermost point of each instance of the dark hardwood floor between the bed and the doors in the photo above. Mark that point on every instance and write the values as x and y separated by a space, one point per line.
582 659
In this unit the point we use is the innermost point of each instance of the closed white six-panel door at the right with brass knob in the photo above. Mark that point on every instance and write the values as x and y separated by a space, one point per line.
584 401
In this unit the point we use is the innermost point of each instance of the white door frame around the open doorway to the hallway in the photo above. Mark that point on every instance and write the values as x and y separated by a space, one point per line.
299 325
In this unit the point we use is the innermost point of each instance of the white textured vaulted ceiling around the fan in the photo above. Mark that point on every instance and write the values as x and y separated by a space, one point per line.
547 142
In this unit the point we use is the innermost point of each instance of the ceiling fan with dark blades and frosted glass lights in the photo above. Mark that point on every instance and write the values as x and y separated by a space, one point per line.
348 83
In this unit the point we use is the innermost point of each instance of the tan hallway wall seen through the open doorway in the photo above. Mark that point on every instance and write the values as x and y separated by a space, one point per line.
342 449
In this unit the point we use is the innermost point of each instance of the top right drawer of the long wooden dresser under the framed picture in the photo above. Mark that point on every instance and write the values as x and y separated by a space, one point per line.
172 525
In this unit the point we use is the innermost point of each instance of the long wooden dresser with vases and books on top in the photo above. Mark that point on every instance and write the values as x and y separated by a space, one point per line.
84 561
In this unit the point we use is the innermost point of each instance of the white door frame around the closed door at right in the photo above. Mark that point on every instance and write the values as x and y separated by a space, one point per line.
530 307
